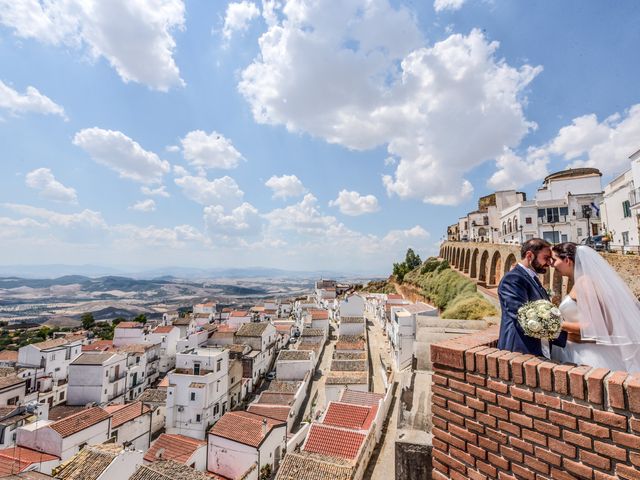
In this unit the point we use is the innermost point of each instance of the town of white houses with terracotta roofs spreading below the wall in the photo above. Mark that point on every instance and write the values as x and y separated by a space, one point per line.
288 389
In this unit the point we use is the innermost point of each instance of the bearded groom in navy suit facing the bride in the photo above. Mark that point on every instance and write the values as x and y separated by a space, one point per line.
519 286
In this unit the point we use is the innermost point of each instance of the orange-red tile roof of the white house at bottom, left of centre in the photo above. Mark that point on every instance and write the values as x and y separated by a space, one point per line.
243 427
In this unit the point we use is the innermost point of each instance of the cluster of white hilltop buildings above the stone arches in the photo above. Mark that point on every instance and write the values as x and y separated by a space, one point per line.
570 206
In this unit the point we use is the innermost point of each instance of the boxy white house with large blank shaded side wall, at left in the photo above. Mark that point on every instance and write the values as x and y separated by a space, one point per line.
97 378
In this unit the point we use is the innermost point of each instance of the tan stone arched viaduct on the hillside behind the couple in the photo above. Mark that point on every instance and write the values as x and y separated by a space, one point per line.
486 264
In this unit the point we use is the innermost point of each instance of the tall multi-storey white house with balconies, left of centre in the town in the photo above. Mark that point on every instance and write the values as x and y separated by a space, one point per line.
197 391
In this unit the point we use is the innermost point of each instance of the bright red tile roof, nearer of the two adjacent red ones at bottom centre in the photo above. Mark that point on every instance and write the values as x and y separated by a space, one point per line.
334 442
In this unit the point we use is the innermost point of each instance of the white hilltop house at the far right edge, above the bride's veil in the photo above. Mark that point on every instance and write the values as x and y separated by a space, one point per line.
617 216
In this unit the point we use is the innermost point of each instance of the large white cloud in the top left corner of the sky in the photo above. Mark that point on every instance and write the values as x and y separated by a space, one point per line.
134 36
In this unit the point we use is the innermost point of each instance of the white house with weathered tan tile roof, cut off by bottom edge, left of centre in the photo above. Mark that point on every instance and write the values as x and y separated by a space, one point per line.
100 462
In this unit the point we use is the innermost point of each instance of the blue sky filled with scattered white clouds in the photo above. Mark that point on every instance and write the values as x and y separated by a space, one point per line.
294 134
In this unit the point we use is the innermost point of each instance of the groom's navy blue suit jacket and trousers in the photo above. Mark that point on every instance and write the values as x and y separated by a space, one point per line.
517 288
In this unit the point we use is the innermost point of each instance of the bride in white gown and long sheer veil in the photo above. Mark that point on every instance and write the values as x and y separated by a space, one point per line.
600 314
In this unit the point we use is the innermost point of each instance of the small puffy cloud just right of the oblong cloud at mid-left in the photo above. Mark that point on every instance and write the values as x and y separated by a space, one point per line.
220 191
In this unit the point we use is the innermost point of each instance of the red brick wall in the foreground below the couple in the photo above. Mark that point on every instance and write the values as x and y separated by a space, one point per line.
504 415
